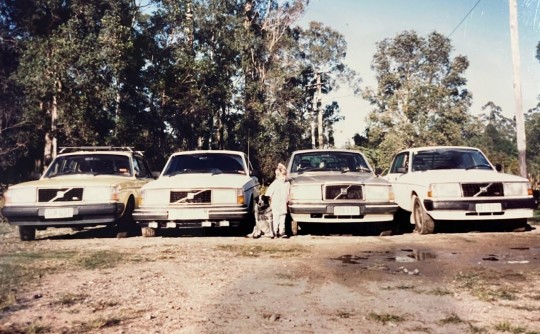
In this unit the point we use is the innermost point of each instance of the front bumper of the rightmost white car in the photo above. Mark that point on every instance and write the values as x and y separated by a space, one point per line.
516 208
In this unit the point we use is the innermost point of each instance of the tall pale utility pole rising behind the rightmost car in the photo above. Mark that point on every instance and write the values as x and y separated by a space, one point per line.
520 122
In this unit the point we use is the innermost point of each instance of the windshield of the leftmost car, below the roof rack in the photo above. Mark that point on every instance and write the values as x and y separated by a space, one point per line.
95 164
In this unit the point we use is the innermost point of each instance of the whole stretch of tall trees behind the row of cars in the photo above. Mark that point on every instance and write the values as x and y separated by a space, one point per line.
167 76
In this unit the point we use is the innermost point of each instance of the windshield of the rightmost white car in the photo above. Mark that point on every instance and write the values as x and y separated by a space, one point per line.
449 159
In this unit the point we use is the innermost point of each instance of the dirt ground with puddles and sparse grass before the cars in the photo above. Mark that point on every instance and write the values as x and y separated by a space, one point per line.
326 282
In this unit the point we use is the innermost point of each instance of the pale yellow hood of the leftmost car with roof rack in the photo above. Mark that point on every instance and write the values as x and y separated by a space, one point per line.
78 180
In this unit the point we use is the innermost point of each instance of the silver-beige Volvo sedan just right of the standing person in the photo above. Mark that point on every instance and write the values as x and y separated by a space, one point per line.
336 186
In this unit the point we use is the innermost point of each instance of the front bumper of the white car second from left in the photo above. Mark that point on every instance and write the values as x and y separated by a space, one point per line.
204 216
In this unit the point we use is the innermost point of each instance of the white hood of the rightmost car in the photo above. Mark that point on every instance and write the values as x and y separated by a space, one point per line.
462 176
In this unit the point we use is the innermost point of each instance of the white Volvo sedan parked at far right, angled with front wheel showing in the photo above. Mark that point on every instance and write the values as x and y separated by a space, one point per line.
455 183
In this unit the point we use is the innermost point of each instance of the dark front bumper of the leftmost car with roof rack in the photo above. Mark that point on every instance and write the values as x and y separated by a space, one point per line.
82 215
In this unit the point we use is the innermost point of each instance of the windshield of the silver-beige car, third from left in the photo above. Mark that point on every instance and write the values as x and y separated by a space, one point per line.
329 161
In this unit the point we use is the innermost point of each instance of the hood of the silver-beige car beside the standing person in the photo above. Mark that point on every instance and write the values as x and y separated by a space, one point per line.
337 177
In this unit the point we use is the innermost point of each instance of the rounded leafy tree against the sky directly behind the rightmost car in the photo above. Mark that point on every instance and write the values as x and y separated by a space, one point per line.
420 98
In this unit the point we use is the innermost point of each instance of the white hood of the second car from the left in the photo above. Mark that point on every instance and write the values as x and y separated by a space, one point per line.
205 180
